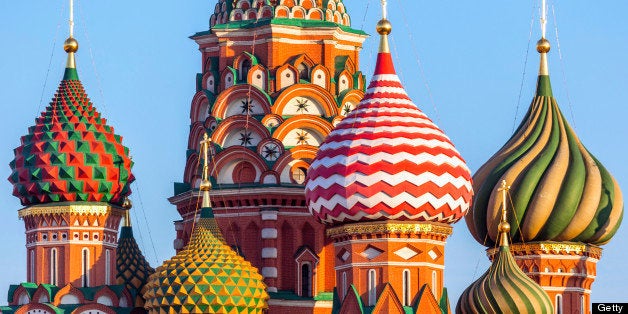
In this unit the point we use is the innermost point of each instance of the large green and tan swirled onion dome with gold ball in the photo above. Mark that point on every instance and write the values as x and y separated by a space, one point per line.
560 191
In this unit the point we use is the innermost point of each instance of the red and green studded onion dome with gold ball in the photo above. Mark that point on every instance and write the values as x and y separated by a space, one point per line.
71 154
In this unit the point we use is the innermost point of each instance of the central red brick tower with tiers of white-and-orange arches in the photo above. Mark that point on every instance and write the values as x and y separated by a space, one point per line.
276 77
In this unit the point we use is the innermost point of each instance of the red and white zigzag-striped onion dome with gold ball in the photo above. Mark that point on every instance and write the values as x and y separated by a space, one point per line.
387 160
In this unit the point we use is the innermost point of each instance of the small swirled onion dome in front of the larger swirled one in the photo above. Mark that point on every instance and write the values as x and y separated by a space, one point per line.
504 288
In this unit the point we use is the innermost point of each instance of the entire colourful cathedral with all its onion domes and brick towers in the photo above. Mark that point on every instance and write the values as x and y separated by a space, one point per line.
307 189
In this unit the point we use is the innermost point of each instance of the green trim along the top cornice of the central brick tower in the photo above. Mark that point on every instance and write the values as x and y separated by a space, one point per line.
278 21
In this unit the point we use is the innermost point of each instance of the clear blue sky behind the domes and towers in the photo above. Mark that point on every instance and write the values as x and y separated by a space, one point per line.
139 68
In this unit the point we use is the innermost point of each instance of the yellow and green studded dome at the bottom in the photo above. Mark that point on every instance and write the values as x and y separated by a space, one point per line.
207 276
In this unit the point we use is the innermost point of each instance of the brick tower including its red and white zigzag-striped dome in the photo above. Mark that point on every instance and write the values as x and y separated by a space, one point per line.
389 183
